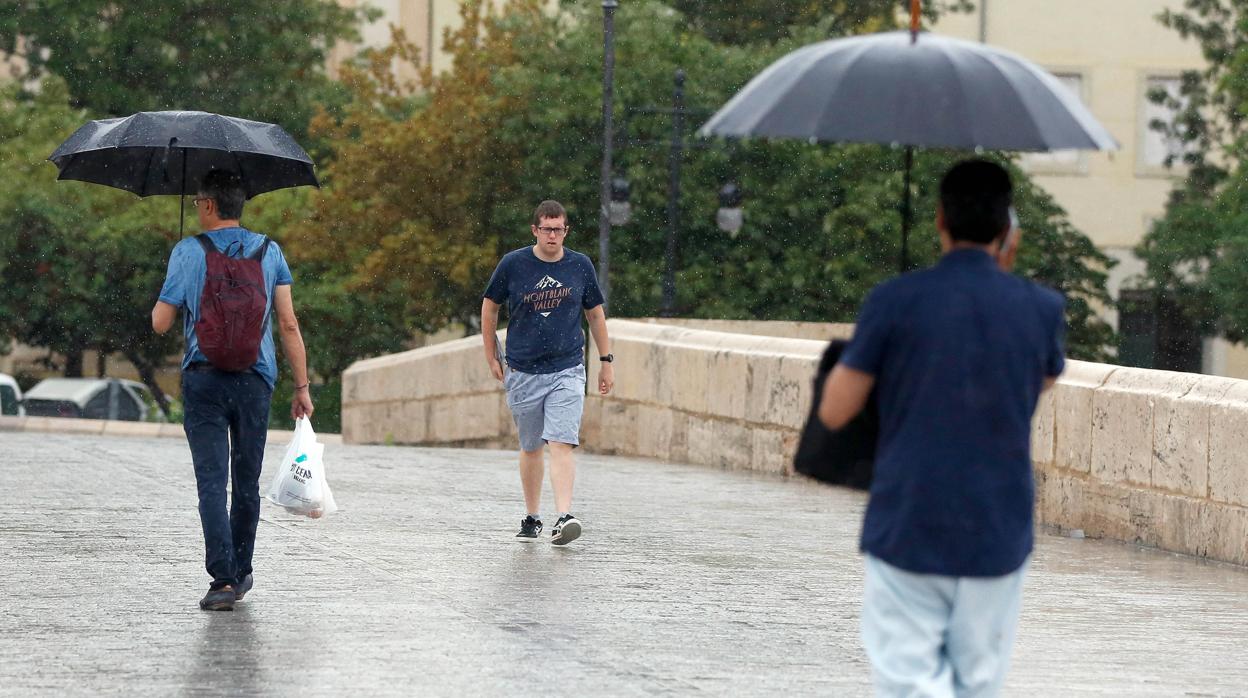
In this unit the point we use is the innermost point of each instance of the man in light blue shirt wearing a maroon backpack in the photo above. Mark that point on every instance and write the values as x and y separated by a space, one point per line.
229 282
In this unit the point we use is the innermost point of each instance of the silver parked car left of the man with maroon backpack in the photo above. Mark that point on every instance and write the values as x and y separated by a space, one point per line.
93 399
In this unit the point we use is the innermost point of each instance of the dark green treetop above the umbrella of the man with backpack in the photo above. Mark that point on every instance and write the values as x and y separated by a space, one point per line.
258 61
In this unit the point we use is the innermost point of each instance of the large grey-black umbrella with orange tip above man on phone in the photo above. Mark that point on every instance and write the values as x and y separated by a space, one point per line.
910 89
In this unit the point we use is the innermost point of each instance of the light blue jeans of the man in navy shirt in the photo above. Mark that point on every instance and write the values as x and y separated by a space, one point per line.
933 636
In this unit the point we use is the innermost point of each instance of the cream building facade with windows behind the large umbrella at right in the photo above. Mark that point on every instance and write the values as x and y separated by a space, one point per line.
1113 53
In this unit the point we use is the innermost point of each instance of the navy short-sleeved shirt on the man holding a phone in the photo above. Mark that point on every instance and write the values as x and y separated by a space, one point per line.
960 354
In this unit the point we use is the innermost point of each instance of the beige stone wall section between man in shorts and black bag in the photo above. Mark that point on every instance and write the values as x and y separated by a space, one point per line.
696 396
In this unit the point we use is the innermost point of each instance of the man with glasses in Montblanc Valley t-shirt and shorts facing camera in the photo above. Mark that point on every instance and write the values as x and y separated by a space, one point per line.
547 288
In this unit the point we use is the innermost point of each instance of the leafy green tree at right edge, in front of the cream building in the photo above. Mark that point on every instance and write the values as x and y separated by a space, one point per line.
1196 254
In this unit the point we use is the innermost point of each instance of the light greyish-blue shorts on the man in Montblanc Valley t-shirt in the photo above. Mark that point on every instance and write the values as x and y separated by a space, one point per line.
547 406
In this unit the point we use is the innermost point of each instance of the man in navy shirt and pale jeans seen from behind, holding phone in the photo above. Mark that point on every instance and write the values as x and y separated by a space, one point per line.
958 355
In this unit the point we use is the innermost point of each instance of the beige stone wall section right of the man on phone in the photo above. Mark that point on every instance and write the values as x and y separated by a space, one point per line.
1153 458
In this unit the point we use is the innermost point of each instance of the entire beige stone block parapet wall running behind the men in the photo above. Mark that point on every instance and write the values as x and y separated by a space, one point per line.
1144 456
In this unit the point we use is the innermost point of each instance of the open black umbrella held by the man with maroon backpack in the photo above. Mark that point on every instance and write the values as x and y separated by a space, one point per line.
155 153
